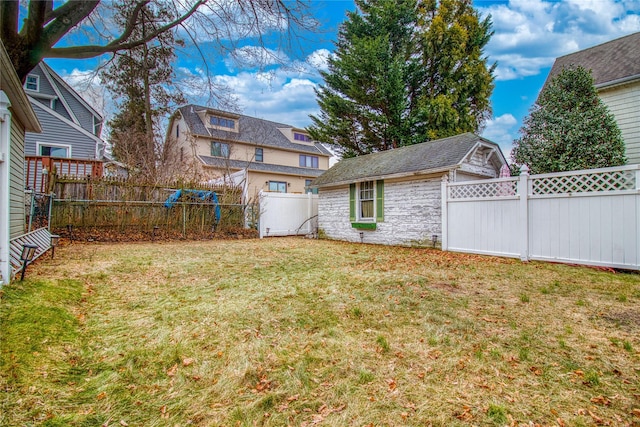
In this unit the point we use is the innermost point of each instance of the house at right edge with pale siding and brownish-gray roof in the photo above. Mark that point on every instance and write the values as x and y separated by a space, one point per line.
615 67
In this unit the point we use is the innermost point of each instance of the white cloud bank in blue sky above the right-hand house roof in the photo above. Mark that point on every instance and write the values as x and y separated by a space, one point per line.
530 34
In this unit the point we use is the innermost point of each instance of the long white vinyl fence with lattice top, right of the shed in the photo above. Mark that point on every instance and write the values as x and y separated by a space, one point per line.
581 217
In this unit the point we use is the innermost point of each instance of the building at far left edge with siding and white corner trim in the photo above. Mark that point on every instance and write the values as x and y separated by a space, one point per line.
16 117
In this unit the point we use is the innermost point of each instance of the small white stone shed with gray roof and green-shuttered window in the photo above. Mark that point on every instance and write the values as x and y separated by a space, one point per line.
394 197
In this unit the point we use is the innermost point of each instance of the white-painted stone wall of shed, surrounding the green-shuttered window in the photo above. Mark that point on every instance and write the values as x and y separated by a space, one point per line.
412 214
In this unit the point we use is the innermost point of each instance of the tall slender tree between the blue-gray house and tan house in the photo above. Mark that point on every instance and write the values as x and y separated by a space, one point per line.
140 80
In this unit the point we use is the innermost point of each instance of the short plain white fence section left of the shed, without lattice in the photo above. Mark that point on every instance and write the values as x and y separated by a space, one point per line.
283 214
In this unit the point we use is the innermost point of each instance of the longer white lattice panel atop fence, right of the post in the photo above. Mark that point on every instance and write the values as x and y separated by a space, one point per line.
585 183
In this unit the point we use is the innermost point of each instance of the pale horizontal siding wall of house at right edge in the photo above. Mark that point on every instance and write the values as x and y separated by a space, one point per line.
624 103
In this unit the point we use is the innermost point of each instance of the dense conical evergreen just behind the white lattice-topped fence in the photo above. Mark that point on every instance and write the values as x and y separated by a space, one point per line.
569 128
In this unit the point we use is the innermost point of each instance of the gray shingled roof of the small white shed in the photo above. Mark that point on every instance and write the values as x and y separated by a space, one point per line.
432 156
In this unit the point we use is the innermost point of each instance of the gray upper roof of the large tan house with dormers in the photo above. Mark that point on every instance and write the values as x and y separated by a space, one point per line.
250 130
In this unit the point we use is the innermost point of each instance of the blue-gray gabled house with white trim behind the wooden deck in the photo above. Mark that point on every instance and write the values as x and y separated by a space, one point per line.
71 127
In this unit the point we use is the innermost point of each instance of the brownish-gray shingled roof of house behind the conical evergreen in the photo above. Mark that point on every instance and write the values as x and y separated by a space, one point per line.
609 62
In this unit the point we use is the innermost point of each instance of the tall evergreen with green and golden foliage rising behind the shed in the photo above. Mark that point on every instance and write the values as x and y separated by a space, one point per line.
404 72
